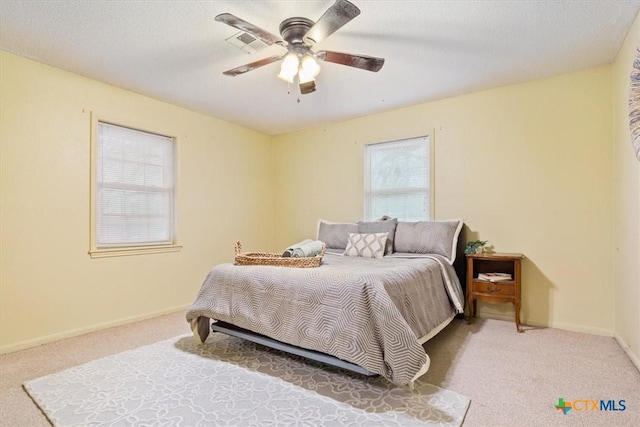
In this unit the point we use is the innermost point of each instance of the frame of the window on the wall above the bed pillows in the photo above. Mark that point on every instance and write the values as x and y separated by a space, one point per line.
431 175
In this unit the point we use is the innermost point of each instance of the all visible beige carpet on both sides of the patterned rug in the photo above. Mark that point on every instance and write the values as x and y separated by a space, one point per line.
511 379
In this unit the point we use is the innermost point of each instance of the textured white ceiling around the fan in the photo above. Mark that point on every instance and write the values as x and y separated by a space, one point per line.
175 51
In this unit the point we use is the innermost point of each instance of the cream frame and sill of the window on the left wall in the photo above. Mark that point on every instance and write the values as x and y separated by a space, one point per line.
96 251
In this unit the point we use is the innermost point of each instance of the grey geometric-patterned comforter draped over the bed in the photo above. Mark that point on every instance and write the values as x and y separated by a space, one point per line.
370 312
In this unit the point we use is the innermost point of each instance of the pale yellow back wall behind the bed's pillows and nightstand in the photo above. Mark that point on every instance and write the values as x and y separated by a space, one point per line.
528 167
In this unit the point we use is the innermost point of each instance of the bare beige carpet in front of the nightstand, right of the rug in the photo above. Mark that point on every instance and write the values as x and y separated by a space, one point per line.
516 379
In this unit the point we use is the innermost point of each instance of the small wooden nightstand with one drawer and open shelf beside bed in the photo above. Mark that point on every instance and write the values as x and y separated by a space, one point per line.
493 292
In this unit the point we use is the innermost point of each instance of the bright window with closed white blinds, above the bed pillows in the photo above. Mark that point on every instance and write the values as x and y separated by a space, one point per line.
398 177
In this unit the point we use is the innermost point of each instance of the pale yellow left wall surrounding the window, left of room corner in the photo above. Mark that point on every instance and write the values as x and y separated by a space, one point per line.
49 287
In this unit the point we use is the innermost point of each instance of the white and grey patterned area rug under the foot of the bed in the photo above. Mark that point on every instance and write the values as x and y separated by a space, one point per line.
232 382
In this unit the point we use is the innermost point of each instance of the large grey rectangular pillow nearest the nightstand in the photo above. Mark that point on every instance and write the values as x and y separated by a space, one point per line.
428 237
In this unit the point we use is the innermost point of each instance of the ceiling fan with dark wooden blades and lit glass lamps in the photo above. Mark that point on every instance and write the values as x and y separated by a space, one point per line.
299 35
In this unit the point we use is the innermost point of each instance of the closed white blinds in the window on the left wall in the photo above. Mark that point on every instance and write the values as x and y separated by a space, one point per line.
134 187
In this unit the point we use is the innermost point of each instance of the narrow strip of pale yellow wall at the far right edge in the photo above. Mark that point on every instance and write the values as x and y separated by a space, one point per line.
626 206
